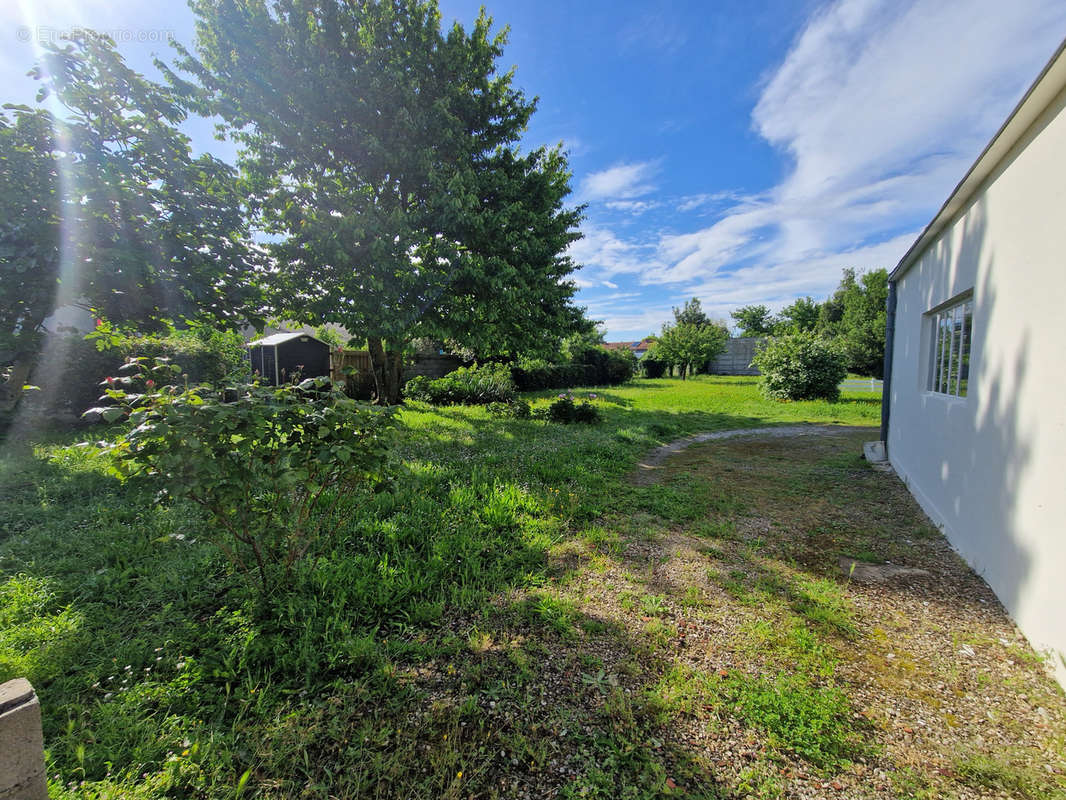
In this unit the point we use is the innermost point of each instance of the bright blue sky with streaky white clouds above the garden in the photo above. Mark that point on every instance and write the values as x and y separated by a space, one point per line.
736 152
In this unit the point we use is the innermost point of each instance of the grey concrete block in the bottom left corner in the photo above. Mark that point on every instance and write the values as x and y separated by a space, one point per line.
22 744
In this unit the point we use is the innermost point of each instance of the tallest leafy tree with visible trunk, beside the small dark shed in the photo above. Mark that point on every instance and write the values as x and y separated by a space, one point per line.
382 153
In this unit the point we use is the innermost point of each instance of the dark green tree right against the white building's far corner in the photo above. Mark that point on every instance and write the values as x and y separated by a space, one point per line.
854 317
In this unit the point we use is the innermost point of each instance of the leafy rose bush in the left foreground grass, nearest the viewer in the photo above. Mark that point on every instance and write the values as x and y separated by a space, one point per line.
271 466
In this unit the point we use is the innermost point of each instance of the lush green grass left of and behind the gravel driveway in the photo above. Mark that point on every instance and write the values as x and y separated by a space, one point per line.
160 676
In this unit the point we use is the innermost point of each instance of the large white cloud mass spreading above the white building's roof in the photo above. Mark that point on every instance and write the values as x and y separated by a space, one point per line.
881 107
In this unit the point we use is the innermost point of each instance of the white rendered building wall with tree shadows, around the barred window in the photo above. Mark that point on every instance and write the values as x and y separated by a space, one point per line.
991 469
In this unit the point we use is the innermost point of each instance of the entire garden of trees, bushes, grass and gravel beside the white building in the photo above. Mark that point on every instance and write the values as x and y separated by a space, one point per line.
492 584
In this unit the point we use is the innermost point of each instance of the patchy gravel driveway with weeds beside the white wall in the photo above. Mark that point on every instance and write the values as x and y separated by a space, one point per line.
940 694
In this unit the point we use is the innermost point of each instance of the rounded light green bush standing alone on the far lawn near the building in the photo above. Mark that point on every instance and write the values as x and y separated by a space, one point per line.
800 367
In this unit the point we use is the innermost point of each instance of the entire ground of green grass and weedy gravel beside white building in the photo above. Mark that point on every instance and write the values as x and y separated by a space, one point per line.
520 618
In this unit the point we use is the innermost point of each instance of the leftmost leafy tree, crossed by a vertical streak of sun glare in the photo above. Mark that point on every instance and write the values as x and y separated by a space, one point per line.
105 206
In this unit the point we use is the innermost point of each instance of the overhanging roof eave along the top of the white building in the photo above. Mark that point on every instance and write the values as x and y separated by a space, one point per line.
1045 89
